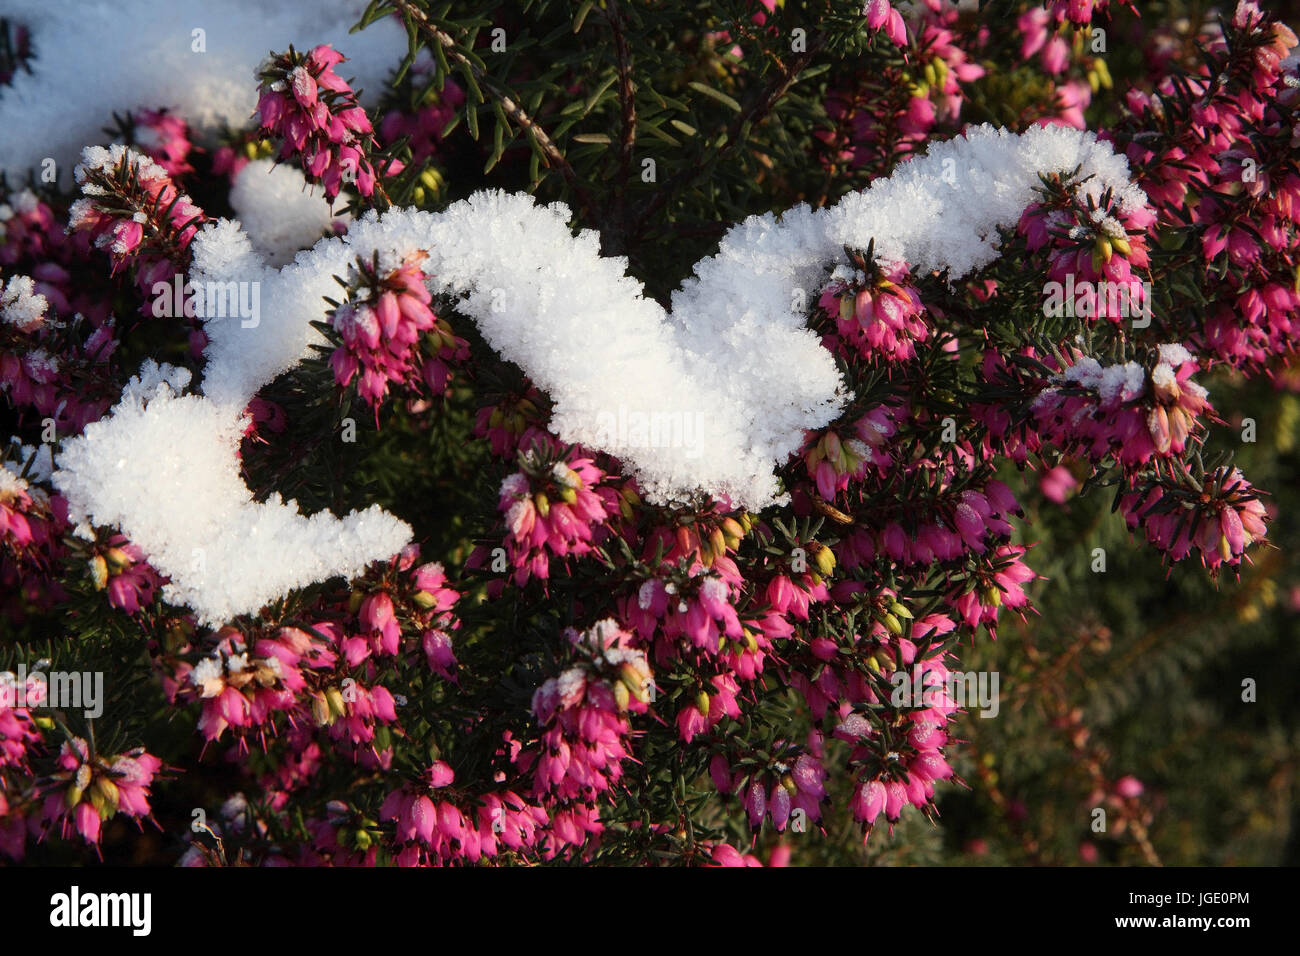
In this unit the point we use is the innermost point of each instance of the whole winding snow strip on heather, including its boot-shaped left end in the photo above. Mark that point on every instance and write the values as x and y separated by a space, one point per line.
735 353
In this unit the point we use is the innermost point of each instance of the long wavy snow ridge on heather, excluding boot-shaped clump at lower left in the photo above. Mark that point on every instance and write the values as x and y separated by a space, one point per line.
734 354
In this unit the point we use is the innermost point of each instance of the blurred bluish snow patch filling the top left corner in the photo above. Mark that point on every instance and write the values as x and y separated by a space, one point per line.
98 57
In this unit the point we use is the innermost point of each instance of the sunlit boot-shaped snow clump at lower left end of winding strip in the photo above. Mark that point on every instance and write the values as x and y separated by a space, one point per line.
164 469
